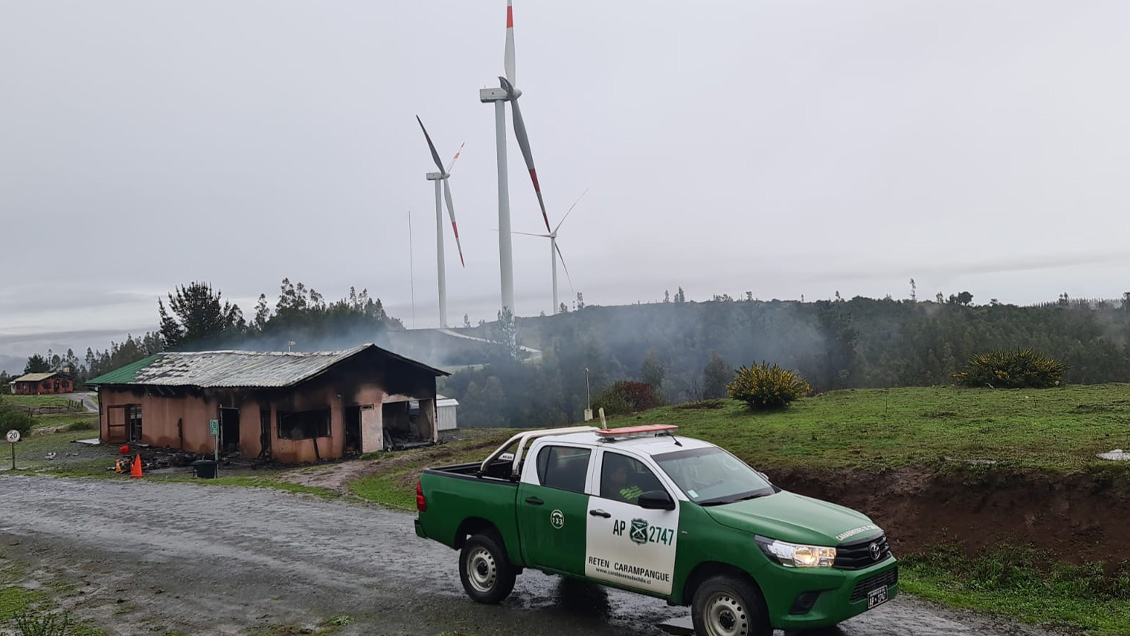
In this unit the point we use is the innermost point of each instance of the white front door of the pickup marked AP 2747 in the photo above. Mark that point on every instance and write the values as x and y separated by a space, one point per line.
628 545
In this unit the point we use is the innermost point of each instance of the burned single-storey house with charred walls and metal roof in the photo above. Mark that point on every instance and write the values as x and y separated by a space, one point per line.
290 407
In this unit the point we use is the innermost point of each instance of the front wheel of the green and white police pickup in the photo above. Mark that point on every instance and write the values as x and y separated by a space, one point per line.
728 606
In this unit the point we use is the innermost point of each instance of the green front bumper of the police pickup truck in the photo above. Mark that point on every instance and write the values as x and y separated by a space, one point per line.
804 599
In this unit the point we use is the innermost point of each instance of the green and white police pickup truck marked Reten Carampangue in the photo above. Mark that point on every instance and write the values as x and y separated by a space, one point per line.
647 510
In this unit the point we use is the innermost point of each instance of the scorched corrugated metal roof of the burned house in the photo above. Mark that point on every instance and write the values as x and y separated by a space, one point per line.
237 369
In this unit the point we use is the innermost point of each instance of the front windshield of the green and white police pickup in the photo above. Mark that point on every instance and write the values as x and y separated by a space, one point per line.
714 477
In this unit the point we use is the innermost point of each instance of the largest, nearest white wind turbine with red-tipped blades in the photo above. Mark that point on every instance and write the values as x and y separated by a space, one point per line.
500 97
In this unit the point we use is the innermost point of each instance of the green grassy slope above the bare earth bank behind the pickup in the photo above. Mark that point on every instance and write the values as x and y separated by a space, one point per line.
1056 429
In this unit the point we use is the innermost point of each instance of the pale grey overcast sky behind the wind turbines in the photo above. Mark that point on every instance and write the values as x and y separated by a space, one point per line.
781 147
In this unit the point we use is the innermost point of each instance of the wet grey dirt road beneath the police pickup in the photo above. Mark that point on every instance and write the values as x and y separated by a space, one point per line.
155 559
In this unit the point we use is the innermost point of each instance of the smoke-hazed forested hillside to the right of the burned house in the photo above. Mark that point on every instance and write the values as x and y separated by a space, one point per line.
690 351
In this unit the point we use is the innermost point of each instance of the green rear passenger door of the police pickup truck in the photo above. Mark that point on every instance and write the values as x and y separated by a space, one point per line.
552 507
